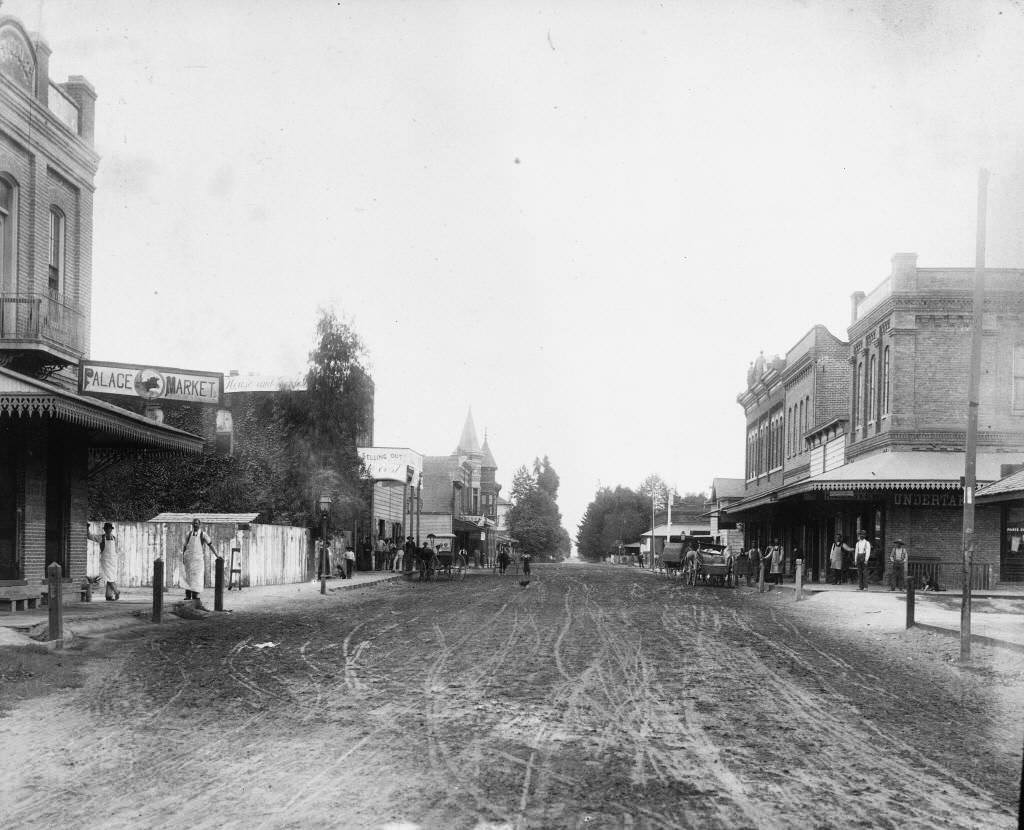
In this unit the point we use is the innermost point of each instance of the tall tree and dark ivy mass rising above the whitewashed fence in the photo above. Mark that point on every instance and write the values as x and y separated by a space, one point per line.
292 447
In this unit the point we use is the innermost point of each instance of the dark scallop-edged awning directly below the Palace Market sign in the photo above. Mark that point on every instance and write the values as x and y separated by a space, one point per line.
112 427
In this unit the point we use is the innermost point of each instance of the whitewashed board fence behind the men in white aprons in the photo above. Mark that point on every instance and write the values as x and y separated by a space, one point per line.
268 555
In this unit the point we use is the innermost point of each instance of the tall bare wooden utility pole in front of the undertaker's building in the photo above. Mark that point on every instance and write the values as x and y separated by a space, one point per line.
974 386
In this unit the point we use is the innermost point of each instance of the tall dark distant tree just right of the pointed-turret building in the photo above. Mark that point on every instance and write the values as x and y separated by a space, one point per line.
534 518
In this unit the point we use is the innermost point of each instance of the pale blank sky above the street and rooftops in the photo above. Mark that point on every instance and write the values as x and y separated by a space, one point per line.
583 220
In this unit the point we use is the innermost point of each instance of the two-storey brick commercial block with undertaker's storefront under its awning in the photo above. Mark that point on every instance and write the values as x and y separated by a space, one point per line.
879 442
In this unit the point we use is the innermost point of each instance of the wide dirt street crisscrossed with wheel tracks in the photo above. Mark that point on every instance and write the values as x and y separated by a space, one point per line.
594 697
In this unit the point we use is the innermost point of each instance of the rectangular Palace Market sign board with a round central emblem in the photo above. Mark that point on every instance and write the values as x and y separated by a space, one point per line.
150 383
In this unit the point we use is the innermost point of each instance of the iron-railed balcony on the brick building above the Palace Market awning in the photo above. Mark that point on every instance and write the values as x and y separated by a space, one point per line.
41 319
